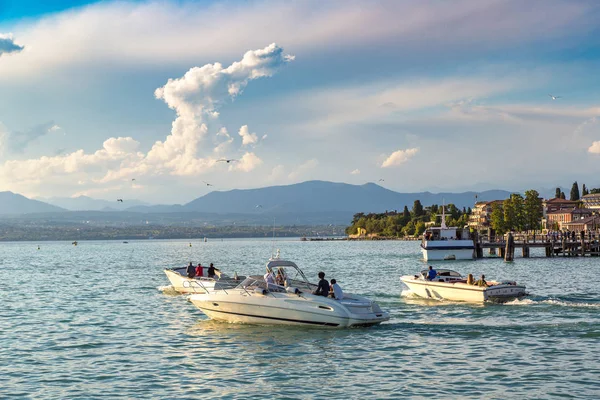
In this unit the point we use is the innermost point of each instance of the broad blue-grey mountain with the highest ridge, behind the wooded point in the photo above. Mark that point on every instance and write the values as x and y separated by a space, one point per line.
320 197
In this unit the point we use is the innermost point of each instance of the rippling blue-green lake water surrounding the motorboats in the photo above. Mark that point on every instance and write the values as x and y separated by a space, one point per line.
89 321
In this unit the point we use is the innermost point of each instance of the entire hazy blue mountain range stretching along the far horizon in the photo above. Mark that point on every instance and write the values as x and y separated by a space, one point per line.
303 203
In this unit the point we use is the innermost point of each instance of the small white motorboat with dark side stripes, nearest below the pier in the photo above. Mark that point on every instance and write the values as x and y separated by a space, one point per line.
450 285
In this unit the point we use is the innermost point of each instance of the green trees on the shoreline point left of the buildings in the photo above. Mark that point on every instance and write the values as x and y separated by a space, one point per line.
408 222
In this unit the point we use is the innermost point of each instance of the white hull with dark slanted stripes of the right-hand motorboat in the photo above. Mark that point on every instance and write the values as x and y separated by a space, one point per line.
462 292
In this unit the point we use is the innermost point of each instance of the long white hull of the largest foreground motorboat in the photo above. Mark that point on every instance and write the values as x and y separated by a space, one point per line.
299 311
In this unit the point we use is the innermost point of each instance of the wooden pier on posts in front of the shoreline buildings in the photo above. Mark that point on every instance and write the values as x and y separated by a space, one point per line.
554 246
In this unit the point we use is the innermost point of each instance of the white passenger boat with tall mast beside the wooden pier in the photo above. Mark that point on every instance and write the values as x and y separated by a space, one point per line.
447 243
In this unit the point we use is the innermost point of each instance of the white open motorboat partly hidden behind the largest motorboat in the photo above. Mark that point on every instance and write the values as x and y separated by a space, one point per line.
200 284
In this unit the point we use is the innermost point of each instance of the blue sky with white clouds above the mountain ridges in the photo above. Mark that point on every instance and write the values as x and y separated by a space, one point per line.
137 99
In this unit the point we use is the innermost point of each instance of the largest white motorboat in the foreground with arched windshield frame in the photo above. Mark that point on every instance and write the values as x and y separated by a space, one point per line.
255 302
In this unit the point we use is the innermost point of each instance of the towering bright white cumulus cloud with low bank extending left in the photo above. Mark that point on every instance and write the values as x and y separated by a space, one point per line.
194 97
